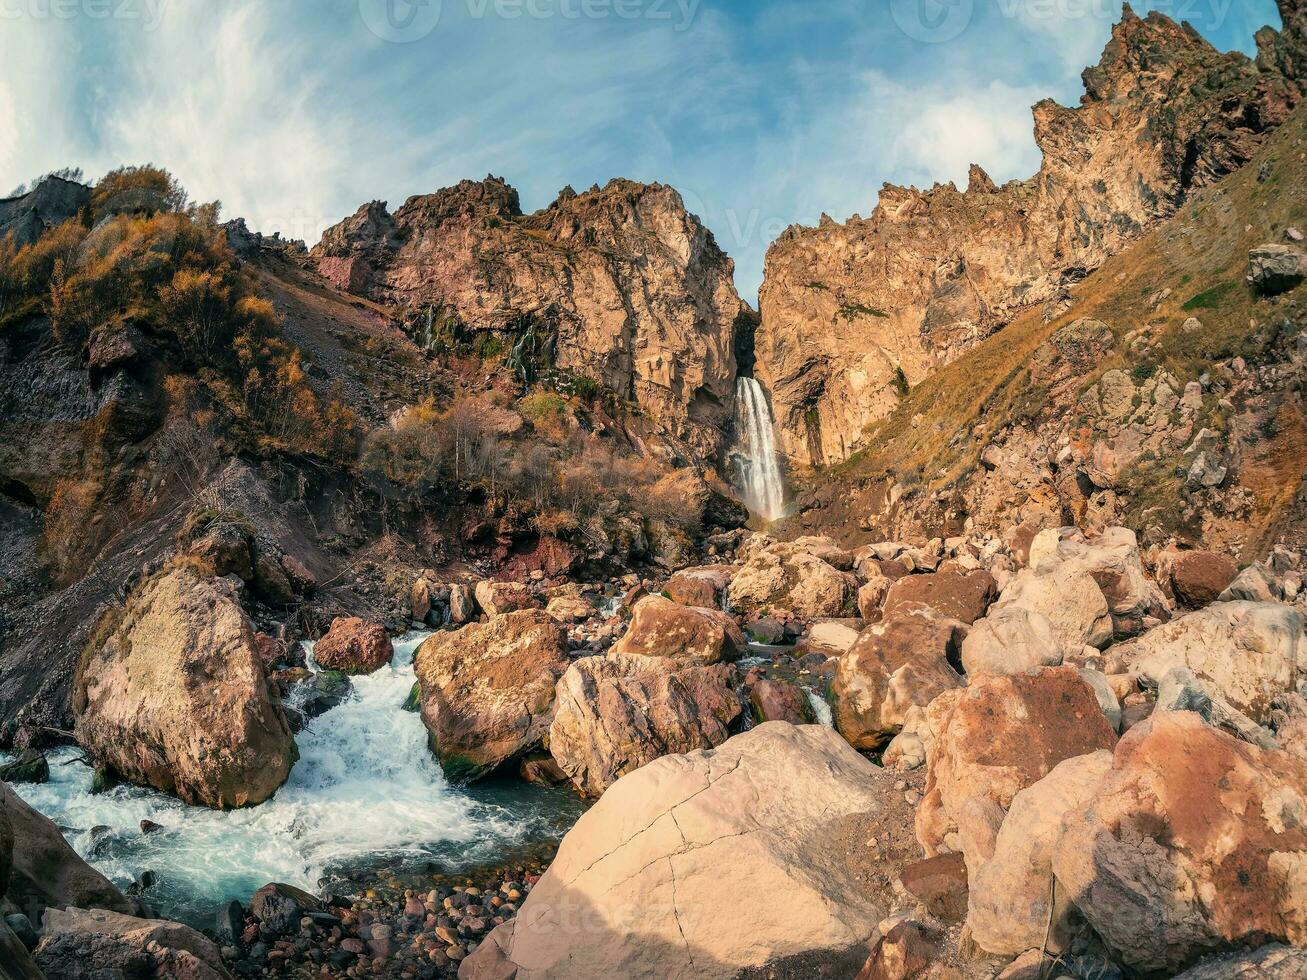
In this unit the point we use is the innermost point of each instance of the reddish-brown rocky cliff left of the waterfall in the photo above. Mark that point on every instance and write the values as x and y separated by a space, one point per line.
619 286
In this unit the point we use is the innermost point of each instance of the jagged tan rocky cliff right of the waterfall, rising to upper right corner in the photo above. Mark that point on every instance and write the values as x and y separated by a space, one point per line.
855 314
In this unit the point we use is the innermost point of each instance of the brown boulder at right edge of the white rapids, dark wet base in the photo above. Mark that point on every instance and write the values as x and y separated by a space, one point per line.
488 689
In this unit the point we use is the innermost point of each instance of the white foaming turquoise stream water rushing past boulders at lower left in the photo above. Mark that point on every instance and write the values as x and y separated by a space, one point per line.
367 792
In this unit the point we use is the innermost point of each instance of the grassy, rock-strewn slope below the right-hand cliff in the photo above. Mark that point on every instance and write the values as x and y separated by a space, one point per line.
1168 395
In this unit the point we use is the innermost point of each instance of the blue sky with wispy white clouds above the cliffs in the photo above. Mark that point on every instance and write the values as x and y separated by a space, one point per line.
763 113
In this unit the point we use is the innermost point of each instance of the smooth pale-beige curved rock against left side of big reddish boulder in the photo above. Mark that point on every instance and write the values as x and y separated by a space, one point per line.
1010 894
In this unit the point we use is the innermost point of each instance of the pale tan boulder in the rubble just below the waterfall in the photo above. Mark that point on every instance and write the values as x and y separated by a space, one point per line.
782 578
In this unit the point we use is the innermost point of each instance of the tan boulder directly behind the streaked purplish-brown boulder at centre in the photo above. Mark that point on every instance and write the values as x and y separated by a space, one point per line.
665 629
